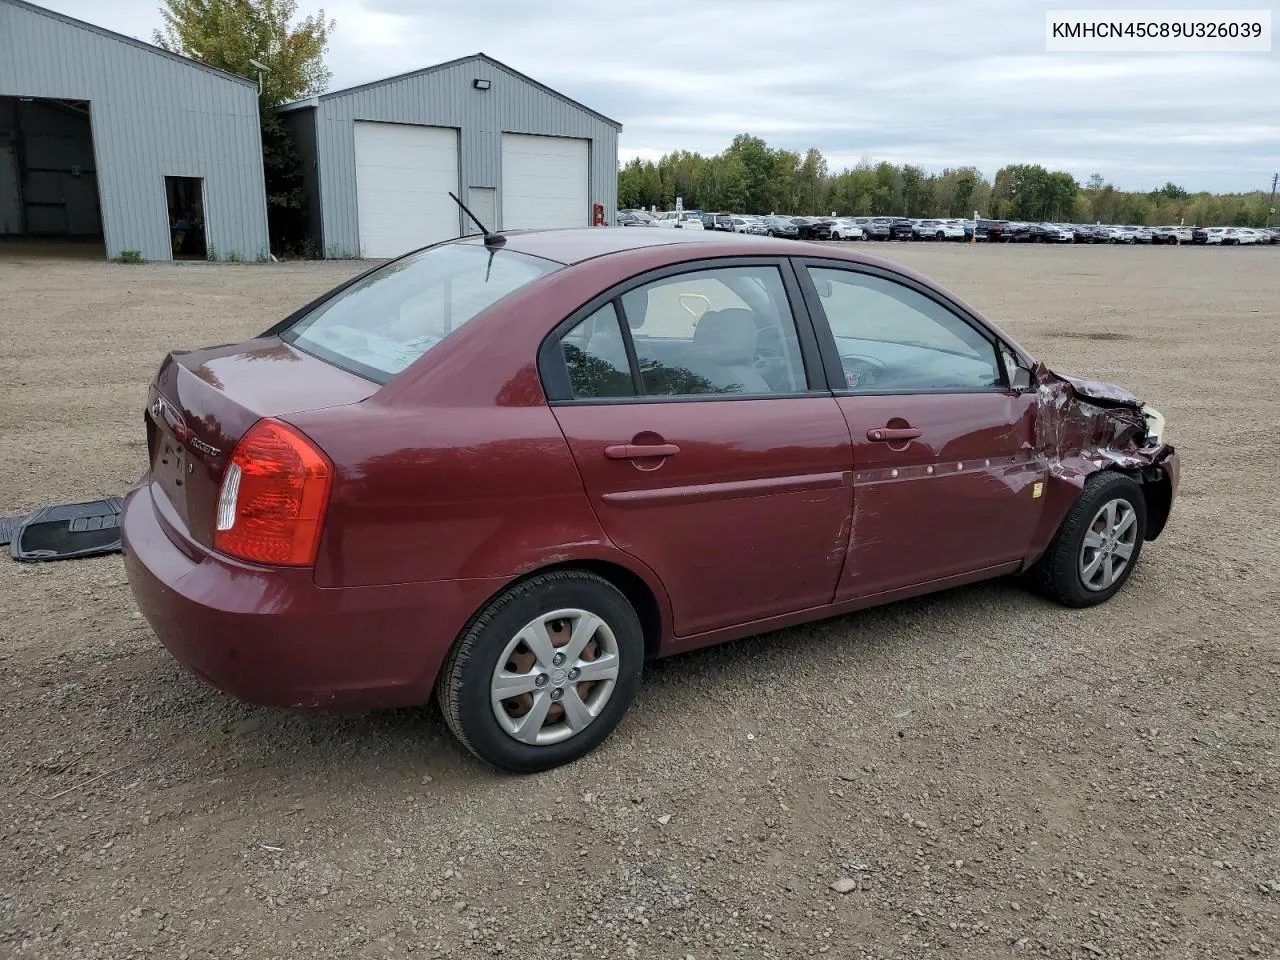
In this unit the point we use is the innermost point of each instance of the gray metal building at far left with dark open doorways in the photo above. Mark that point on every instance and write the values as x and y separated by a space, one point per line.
106 136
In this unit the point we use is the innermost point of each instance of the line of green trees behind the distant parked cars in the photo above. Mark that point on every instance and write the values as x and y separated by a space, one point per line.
751 177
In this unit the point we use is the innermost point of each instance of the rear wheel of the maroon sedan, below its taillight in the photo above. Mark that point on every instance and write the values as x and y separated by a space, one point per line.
545 674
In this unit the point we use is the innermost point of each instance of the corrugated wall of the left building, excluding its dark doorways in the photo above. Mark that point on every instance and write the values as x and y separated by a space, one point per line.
153 116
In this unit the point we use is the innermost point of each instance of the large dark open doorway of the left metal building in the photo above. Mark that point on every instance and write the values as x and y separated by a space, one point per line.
48 171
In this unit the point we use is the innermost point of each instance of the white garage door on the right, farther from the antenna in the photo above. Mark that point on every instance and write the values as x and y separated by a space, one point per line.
545 182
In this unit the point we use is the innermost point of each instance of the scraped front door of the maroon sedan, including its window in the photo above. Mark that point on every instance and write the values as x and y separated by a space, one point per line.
948 479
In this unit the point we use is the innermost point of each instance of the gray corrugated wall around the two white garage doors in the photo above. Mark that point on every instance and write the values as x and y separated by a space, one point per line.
446 98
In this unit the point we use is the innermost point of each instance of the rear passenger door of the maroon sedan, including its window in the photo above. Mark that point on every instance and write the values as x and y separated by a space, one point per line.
687 400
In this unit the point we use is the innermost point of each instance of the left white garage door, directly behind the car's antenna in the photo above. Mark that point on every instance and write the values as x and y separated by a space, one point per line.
404 177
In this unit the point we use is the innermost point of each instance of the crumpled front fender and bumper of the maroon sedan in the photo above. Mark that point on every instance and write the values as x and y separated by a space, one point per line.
1084 427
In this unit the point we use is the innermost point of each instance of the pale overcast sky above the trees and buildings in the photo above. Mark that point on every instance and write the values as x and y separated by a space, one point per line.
934 83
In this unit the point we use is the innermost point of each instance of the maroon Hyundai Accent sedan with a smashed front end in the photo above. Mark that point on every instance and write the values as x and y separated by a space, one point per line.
511 470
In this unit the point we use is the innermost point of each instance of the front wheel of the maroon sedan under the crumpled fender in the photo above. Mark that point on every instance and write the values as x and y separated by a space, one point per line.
1099 545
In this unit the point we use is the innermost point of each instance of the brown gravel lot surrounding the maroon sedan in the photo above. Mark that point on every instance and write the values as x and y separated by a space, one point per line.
989 775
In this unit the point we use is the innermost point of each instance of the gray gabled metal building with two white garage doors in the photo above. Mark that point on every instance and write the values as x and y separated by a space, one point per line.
382 158
